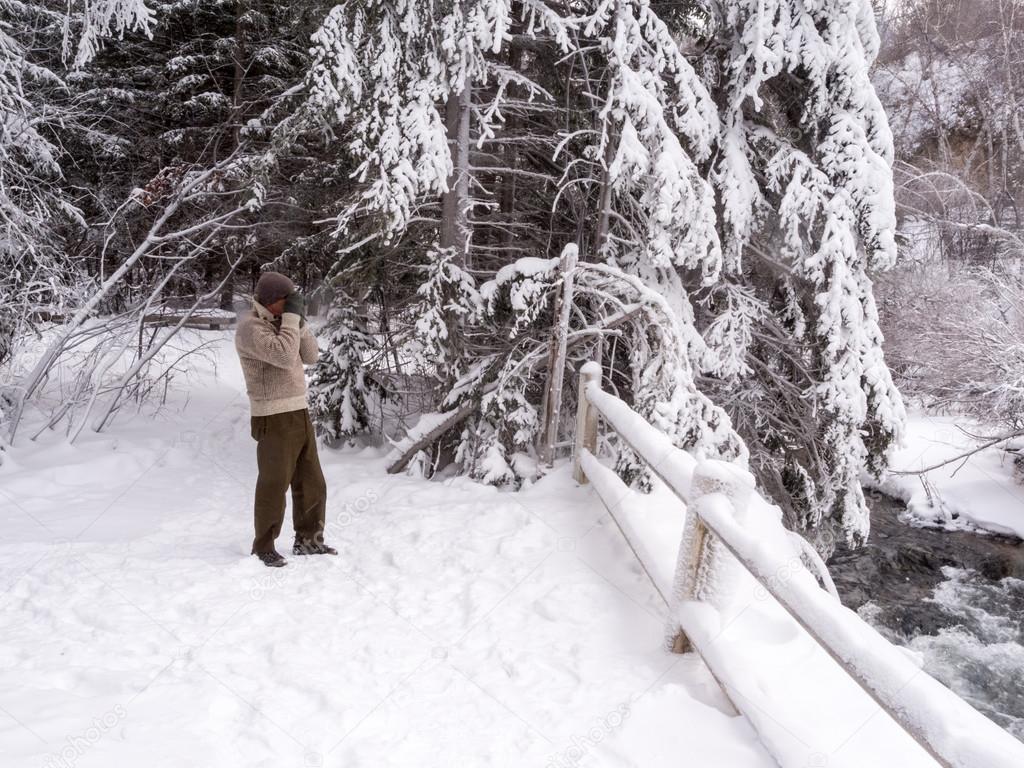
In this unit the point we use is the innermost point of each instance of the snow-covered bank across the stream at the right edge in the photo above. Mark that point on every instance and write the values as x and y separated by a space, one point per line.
980 492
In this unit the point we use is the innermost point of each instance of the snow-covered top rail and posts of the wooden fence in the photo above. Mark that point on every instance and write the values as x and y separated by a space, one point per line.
719 499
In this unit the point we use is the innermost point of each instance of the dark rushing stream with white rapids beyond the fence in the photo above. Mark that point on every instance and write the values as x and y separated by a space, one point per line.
954 598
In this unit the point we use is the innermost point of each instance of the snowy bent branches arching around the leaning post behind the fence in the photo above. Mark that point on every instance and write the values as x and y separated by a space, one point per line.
504 333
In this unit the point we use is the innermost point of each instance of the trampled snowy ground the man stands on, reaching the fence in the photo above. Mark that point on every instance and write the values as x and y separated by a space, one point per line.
460 626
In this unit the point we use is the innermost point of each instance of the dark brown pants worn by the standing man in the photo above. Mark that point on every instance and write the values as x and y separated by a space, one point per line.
286 454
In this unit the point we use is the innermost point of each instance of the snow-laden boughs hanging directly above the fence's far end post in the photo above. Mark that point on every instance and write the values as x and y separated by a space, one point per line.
657 123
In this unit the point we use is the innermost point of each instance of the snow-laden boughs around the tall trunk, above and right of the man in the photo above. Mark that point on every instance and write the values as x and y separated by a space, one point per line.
385 71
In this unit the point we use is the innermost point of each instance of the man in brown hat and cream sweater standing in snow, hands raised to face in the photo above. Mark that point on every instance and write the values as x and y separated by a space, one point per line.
274 342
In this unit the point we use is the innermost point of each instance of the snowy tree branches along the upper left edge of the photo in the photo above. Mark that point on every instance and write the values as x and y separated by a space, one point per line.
40 215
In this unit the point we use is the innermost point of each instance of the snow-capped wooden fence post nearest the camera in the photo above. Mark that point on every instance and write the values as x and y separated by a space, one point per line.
701 554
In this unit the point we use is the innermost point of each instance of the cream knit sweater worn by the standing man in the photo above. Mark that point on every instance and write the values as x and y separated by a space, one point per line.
272 356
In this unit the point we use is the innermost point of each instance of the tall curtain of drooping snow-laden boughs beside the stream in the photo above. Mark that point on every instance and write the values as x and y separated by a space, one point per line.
806 187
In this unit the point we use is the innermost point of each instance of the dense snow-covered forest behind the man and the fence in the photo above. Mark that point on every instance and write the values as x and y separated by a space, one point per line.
723 175
